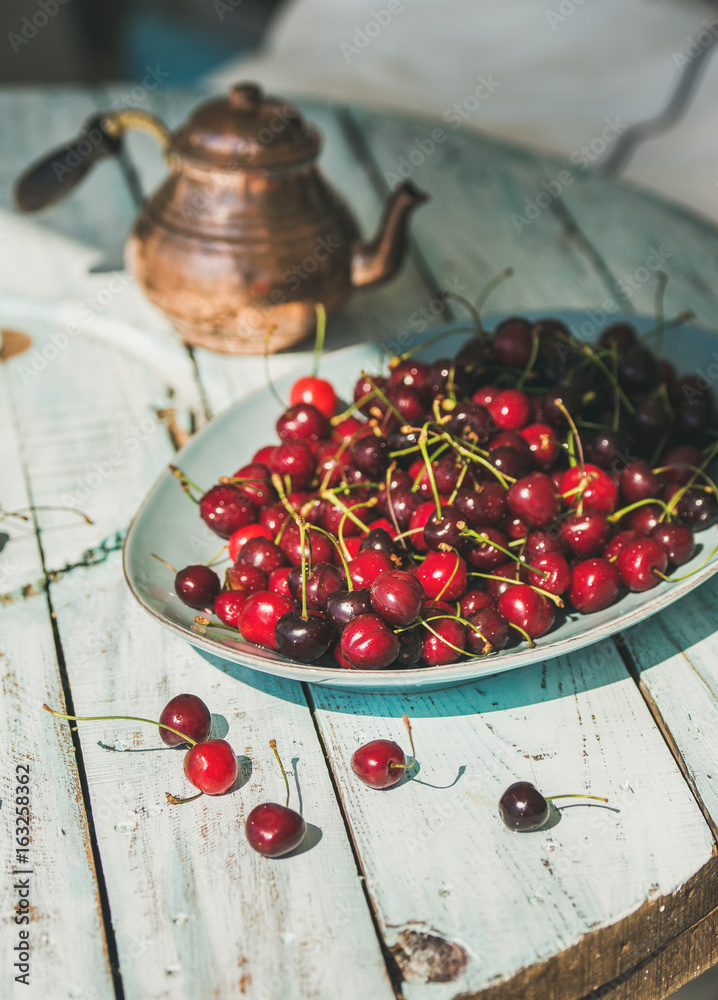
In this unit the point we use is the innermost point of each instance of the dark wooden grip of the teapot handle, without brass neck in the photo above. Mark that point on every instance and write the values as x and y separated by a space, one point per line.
53 177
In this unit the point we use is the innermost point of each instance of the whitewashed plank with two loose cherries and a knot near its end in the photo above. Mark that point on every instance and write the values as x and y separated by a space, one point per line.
439 860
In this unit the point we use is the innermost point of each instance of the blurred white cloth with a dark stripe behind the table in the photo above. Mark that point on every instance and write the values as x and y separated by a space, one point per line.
560 70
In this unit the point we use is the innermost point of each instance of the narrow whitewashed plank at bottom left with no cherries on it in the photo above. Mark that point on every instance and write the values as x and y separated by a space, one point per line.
66 954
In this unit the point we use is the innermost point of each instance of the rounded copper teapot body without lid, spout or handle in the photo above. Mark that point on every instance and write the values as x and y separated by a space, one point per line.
230 255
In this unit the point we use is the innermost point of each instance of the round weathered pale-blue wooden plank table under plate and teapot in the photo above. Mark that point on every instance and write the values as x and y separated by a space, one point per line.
420 892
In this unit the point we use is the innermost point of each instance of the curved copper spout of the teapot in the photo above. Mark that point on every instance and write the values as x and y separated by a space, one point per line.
378 259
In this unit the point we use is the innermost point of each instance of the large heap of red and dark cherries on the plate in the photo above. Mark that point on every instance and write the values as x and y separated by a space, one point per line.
455 506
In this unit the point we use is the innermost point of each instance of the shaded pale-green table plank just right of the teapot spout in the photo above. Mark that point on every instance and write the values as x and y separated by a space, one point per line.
467 233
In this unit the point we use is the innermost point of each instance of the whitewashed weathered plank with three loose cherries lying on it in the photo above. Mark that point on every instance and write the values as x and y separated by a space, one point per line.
196 912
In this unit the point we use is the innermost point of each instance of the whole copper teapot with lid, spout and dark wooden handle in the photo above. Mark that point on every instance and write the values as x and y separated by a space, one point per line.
245 235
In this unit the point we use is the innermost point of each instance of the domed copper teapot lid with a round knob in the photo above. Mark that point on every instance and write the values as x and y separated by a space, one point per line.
247 129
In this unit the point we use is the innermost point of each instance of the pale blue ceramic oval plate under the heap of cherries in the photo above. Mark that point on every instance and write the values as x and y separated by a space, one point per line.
168 524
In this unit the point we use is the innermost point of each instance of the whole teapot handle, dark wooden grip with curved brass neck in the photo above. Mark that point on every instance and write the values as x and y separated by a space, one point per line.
51 178
